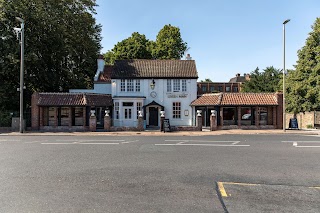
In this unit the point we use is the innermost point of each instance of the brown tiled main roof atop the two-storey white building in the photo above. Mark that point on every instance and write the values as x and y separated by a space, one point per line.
143 68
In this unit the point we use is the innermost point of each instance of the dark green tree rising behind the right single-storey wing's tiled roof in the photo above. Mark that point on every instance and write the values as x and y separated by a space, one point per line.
266 81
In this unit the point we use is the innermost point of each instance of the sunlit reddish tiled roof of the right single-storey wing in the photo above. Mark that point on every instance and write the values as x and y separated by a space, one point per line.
236 99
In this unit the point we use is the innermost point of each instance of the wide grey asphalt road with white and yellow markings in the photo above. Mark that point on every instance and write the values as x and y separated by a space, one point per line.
223 173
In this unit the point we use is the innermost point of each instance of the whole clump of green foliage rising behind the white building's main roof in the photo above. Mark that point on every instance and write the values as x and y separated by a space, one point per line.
168 45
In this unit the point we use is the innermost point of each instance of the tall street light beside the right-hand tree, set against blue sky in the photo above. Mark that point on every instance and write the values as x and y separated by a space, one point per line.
284 74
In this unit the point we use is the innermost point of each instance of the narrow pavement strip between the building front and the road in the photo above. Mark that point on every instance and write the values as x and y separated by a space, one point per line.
204 132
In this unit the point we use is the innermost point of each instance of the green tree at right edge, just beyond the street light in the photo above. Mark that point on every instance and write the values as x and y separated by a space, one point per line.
303 83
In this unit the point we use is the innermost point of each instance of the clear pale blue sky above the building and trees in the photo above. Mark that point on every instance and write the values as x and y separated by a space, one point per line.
225 37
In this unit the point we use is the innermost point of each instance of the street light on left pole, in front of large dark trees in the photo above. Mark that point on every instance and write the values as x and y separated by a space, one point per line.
21 70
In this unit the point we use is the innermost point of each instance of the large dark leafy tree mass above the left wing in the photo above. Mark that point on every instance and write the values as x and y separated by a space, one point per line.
62 42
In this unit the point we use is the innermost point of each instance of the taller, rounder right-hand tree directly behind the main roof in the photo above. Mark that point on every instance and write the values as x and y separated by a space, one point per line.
169 44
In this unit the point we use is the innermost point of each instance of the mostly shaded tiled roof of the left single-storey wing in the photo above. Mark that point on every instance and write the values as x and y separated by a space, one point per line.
74 99
